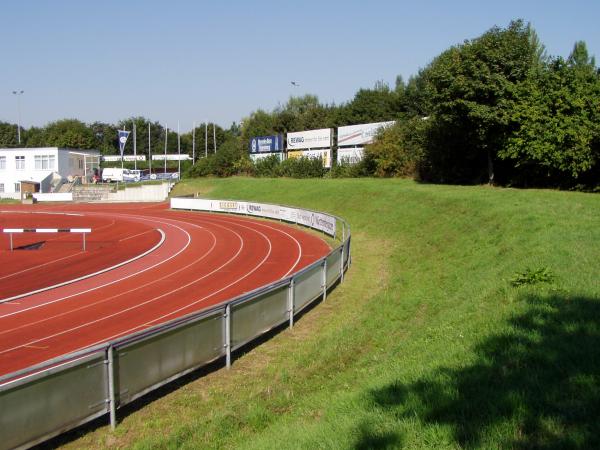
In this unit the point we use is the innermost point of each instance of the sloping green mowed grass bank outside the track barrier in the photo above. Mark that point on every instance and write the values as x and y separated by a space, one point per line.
427 344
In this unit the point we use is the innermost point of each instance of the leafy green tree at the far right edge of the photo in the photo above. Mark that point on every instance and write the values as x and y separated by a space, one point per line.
556 116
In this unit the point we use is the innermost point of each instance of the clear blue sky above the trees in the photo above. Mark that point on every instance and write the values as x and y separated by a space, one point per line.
219 61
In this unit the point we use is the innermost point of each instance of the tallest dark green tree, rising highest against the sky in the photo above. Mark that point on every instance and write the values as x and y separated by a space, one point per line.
465 90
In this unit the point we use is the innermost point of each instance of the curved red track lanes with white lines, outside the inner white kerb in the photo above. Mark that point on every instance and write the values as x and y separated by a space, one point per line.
204 260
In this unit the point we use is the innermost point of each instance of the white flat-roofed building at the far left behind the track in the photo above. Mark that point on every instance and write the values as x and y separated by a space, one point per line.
46 167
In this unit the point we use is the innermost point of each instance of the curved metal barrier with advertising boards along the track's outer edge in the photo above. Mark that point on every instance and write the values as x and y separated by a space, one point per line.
48 399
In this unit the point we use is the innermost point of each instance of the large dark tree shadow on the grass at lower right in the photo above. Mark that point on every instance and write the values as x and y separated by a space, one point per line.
537 385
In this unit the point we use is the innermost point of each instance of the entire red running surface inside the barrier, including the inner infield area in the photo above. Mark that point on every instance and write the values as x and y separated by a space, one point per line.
190 261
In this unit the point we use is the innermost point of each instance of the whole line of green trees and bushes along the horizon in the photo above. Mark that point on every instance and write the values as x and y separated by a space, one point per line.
495 109
